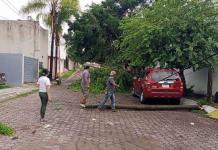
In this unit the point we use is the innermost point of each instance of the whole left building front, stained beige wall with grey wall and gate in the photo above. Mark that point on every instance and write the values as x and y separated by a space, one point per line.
26 42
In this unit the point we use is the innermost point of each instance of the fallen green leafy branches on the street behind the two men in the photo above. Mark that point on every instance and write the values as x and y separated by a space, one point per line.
99 78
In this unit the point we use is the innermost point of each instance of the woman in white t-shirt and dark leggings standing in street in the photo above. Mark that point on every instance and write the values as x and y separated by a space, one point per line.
44 94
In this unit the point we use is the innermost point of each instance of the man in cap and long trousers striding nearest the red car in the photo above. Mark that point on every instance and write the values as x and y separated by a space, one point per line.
109 93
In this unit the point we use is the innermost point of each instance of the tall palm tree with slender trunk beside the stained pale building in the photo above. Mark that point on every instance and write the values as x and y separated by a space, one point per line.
51 17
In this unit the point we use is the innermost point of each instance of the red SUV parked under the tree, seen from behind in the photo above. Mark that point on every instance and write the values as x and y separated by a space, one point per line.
158 83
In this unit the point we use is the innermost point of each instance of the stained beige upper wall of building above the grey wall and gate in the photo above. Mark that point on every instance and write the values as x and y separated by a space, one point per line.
24 37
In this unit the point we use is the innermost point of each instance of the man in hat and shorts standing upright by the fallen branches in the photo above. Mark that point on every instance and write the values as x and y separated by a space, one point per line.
85 83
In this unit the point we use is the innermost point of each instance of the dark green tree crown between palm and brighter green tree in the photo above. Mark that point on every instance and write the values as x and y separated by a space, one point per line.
92 36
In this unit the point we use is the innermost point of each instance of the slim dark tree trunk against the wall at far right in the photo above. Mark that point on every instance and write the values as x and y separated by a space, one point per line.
209 84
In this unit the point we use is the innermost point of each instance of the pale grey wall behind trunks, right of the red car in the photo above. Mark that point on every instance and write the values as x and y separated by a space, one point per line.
199 80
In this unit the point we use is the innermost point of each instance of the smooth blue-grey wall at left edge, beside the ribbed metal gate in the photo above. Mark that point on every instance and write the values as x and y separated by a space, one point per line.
12 65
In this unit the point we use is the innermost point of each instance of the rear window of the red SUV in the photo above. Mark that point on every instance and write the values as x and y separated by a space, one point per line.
160 75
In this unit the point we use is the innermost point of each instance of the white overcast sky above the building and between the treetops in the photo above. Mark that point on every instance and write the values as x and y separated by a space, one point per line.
9 9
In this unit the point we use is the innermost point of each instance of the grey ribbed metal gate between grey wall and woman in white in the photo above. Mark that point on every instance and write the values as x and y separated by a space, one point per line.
30 69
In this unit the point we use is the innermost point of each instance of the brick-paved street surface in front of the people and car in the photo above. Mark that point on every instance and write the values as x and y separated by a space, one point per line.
72 128
